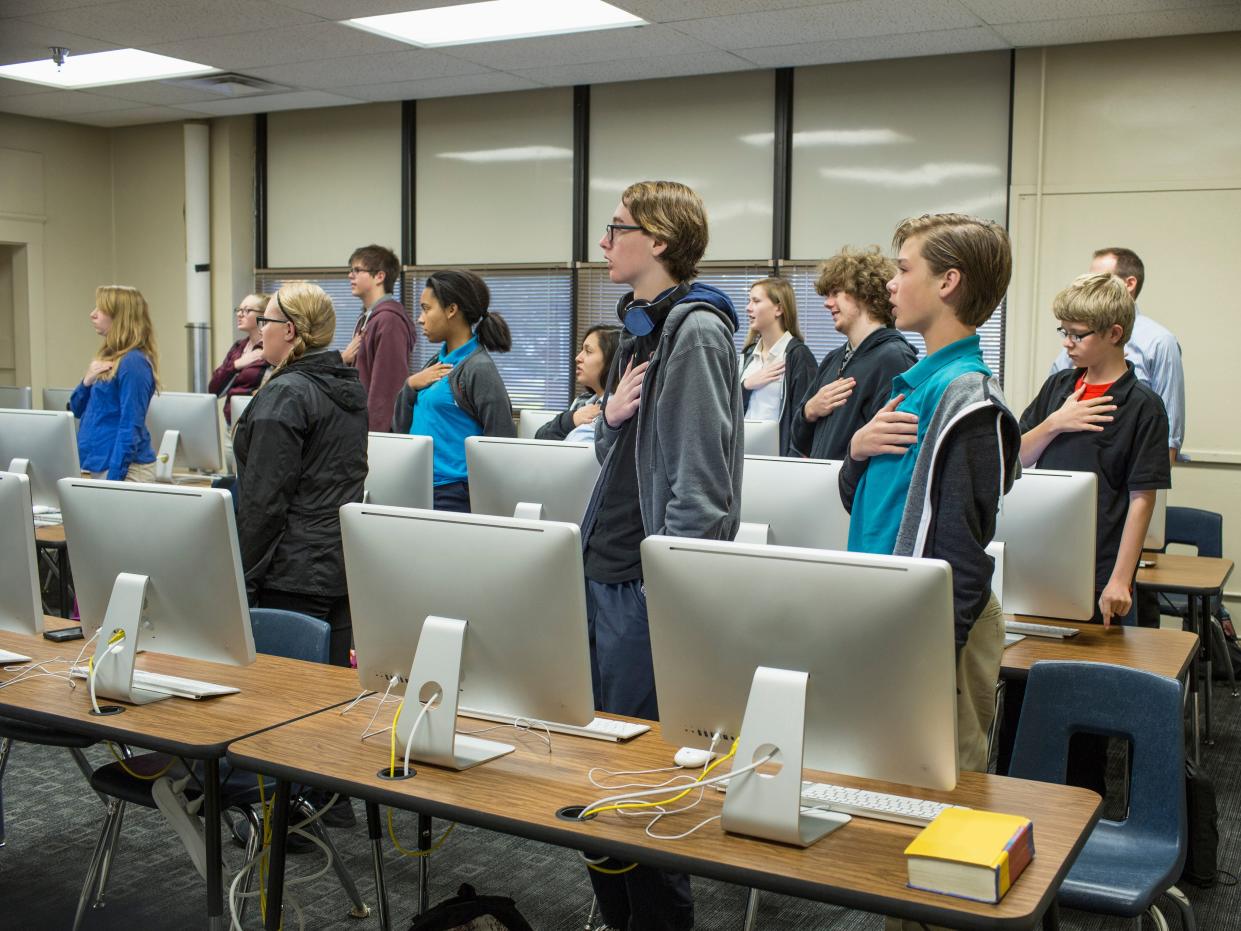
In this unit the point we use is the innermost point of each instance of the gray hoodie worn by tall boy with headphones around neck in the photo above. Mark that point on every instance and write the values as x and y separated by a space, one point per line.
689 445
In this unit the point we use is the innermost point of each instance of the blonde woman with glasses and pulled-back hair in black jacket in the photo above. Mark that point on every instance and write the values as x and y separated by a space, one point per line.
301 449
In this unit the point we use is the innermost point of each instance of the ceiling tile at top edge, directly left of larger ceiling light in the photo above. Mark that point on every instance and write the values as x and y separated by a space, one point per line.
145 23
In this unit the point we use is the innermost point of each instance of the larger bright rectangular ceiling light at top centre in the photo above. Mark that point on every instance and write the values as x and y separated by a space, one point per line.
496 20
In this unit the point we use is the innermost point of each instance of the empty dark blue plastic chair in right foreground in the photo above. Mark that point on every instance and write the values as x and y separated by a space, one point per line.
1126 866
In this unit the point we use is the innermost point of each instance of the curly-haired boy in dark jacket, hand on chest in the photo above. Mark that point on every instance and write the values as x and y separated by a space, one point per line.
854 380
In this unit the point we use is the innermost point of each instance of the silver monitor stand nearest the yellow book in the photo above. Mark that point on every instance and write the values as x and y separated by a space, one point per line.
769 806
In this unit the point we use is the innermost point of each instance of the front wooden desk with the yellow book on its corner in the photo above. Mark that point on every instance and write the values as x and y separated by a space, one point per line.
862 866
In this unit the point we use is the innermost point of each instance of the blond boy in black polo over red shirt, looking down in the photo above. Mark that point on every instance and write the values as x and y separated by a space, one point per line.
1099 418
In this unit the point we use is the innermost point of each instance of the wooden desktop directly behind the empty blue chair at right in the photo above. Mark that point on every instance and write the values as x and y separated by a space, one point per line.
1165 652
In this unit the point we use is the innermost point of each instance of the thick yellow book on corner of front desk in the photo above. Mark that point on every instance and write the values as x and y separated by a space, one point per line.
971 855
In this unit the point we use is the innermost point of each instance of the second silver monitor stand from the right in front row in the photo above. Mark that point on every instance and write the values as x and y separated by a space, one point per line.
437 668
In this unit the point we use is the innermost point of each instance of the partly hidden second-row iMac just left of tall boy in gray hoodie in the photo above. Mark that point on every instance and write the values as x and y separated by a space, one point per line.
540 480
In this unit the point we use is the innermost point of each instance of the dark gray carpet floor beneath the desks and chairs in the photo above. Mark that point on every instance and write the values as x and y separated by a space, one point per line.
53 820
